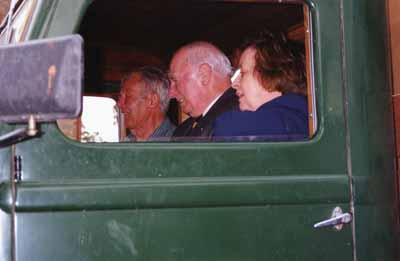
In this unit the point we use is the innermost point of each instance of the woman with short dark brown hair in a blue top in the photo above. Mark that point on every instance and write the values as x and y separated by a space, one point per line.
272 93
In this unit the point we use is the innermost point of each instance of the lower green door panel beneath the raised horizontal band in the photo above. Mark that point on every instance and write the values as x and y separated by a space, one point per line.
224 233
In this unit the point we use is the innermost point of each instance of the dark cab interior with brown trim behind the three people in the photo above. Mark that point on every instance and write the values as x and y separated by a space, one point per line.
128 34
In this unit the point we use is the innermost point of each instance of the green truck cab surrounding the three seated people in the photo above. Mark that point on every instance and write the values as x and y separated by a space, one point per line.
331 197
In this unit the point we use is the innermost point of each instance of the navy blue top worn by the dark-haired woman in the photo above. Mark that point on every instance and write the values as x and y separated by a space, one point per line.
283 118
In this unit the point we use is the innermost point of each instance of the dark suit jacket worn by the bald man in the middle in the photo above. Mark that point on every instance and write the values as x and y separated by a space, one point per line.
203 128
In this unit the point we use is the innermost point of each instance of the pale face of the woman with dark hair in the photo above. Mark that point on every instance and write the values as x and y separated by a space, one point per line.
247 85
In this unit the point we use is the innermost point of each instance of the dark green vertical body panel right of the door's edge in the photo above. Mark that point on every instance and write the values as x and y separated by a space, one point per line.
371 128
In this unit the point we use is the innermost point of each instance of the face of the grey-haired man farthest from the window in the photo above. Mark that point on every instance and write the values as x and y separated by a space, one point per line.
132 104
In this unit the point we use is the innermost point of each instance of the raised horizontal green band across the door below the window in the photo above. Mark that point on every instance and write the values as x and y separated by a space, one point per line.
177 192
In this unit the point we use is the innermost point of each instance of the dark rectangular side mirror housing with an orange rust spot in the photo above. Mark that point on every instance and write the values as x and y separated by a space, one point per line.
41 80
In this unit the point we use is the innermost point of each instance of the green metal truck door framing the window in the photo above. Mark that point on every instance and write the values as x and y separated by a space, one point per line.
188 201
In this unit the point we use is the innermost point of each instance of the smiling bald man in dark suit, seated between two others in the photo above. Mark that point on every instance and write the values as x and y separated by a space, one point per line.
200 81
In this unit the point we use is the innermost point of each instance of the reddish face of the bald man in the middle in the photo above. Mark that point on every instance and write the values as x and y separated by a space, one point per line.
185 85
